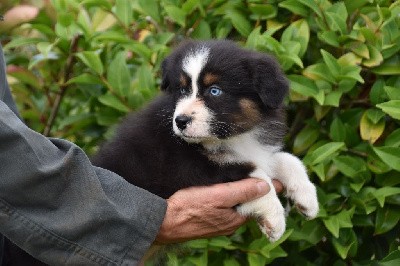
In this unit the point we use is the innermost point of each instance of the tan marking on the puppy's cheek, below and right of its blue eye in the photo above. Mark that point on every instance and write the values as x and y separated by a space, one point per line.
250 114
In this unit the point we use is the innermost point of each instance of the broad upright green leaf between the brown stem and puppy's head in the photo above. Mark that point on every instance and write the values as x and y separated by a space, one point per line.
118 75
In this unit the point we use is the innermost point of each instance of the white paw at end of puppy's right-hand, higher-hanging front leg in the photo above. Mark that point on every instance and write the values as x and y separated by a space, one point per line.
306 201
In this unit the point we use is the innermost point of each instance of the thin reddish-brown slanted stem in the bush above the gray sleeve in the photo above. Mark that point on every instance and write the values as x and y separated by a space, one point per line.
63 86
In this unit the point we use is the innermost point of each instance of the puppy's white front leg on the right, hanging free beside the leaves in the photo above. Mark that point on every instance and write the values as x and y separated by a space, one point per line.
291 172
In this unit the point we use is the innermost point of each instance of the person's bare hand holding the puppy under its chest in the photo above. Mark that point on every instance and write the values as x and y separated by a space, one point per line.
201 212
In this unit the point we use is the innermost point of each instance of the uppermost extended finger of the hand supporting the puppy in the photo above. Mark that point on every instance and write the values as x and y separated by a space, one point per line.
245 190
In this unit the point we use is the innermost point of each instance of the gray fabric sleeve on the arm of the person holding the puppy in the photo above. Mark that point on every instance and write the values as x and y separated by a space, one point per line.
58 207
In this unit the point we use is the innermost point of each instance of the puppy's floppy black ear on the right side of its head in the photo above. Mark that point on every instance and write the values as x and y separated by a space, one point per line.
269 80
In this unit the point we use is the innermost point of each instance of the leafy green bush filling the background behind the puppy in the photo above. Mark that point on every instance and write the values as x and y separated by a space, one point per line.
79 66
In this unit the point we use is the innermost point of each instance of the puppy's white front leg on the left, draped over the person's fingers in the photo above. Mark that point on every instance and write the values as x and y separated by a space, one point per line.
268 210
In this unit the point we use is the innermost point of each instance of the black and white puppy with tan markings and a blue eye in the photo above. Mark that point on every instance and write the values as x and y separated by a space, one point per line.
219 119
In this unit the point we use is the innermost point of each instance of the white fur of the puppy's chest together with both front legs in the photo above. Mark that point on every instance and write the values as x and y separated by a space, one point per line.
270 163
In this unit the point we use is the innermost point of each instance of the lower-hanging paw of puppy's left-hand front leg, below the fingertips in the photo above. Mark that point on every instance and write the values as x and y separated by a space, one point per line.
273 226
